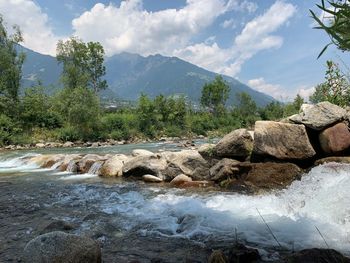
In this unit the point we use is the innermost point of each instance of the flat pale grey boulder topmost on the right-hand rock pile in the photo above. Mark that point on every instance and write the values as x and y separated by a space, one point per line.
319 116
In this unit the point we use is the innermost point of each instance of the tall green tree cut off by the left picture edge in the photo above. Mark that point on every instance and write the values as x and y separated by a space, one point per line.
10 68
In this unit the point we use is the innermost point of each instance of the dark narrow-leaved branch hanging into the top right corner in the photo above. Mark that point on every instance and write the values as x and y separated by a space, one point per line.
338 15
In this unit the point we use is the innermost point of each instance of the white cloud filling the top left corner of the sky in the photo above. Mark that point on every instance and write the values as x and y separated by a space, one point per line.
33 22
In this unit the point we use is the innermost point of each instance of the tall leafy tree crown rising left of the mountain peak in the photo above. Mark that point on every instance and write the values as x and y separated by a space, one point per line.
82 64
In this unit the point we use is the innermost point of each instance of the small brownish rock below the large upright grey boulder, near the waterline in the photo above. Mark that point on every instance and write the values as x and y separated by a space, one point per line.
224 169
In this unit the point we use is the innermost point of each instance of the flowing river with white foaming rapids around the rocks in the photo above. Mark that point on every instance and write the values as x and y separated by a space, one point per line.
147 222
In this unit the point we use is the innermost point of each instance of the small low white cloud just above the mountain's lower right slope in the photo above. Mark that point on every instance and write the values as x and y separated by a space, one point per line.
274 90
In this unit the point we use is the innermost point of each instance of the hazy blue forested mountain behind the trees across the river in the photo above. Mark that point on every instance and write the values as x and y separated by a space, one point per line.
128 75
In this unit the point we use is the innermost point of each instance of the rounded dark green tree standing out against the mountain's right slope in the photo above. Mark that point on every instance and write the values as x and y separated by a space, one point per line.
215 95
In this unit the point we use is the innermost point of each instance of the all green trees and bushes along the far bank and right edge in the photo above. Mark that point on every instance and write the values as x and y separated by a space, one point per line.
75 112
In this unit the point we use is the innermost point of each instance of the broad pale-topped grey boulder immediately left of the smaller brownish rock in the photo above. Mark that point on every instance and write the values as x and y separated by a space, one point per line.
188 162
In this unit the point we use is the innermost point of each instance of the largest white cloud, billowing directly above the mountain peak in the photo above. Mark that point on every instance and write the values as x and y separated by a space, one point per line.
129 27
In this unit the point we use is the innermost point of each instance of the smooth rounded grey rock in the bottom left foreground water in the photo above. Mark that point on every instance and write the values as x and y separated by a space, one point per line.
56 247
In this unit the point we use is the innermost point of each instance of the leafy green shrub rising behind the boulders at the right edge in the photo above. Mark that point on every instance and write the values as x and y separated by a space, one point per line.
335 89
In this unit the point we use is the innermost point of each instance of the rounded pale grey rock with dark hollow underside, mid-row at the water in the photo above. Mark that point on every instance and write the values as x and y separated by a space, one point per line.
141 165
